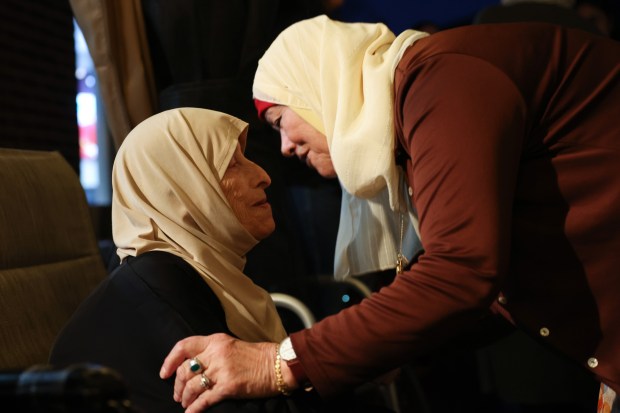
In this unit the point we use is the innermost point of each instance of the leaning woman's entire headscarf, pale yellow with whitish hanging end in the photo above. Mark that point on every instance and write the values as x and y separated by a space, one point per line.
339 78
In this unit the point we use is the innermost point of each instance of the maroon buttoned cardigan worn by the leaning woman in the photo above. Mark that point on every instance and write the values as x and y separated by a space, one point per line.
513 138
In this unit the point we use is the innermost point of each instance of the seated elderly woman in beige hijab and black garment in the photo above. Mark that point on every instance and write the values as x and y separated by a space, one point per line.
187 207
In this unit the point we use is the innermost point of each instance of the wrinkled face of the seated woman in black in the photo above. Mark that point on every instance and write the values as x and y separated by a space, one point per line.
244 185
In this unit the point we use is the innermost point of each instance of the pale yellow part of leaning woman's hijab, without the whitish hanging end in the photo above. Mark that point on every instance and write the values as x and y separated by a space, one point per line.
339 78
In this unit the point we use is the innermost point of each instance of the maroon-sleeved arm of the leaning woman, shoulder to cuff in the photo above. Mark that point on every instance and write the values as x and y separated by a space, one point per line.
462 124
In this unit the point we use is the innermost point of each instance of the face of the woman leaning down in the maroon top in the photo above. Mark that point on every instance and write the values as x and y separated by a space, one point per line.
301 139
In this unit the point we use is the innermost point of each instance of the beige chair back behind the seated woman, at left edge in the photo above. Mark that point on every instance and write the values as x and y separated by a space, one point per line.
49 257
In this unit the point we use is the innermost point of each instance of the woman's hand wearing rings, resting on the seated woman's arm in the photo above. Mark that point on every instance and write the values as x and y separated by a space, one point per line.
234 369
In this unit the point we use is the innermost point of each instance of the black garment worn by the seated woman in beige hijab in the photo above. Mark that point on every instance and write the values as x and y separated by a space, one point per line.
134 318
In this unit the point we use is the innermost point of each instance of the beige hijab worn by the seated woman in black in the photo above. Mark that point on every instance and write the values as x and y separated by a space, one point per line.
167 197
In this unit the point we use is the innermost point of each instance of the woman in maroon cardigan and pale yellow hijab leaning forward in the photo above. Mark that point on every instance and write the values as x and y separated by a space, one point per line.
509 138
